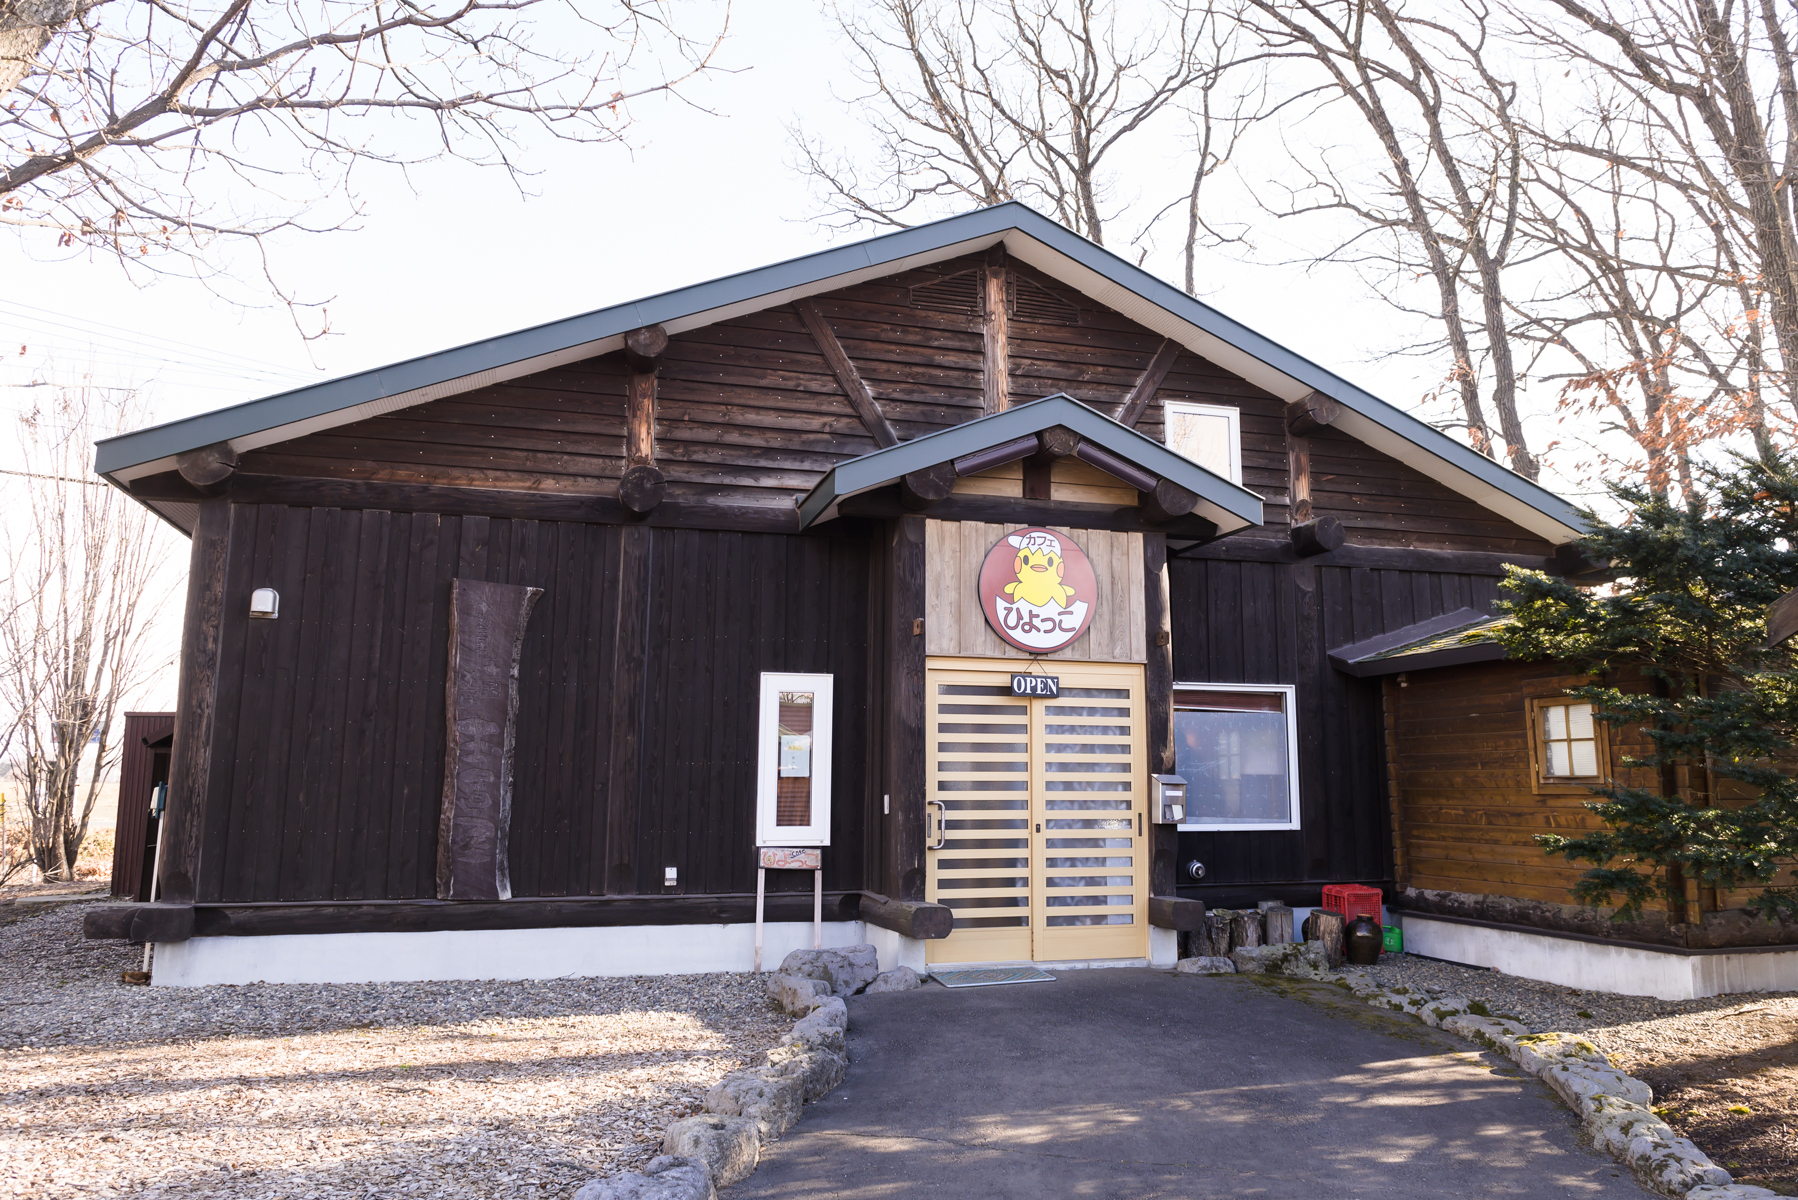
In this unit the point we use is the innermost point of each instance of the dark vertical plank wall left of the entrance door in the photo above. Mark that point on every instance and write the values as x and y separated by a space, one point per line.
328 755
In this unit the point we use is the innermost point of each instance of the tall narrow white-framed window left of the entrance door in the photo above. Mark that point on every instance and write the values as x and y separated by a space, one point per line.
794 760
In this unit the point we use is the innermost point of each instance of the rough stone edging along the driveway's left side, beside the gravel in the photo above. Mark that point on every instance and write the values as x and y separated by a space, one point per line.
756 1106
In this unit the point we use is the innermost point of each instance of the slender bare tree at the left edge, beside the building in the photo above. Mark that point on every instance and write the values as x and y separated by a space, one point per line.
76 616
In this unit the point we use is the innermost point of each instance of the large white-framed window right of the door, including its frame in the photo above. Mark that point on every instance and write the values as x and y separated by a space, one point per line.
1238 749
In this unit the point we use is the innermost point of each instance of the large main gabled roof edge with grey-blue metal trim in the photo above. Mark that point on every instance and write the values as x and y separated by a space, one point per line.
1028 235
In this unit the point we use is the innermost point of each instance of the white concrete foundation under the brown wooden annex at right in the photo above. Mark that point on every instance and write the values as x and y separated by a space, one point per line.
1601 967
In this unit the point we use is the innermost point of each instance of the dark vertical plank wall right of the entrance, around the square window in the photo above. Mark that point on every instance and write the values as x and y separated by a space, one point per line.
1274 623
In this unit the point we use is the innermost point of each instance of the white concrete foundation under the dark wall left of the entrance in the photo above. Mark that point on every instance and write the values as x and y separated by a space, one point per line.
508 954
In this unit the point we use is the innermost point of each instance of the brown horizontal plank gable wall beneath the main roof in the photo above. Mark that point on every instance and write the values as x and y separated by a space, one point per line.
751 415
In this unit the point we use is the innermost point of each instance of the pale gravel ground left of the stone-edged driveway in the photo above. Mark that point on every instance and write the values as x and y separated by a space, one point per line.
314 1093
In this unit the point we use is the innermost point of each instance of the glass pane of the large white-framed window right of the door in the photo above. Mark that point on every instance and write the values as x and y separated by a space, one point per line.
1236 767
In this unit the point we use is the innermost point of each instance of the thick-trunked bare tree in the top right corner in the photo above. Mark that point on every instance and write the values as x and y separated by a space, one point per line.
1711 121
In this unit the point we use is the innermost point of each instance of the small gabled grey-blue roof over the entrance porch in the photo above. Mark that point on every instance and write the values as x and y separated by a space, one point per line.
1222 503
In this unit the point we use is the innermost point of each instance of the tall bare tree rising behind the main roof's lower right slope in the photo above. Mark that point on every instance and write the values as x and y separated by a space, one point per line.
1436 192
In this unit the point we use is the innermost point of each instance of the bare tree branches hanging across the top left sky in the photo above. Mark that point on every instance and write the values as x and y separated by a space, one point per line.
165 132
